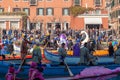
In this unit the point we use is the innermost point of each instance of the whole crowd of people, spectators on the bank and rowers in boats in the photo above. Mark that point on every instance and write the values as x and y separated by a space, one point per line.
60 40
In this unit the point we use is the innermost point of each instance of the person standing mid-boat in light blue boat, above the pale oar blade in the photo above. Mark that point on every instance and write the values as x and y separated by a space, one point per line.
62 52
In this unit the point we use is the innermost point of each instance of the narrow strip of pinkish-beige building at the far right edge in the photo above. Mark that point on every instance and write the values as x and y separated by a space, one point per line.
115 15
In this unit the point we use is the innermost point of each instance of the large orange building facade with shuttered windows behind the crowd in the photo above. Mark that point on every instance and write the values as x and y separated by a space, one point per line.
52 14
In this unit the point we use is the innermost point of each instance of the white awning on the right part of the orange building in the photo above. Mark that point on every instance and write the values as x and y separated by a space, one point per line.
93 21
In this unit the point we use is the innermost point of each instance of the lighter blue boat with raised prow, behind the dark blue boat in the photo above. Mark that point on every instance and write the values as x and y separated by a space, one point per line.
75 59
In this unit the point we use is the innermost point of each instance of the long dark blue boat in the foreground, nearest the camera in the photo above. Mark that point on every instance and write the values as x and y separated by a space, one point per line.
50 70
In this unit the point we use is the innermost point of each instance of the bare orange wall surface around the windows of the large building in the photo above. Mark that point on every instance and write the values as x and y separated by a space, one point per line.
75 23
